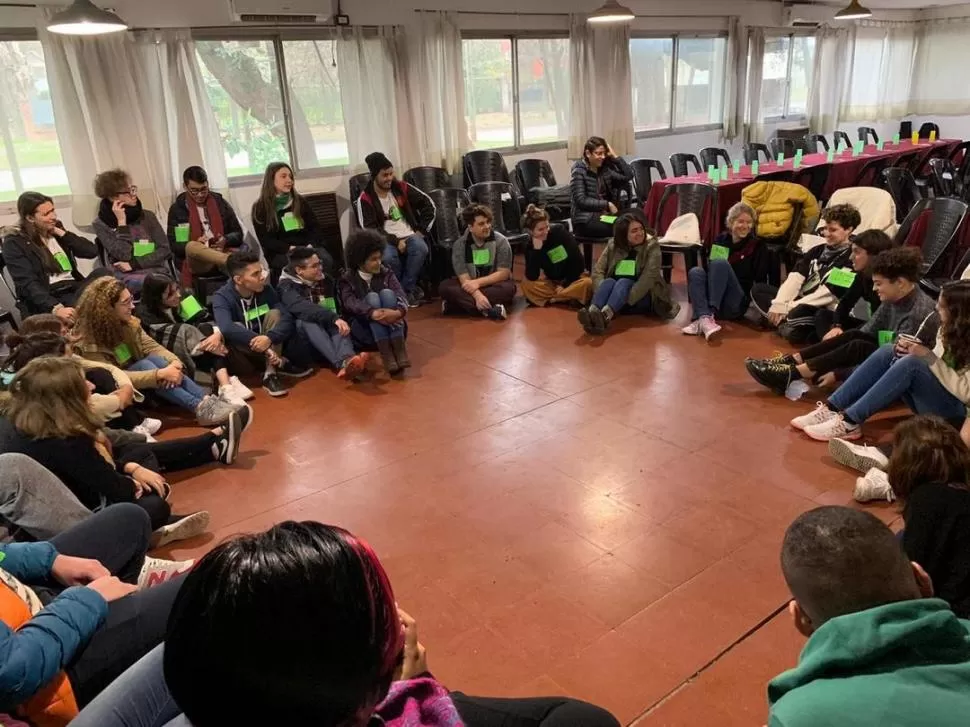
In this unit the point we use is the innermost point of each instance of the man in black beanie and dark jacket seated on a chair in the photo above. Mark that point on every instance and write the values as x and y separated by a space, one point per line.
402 213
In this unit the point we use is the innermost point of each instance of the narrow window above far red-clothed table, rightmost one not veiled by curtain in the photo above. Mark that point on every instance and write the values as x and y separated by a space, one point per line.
787 75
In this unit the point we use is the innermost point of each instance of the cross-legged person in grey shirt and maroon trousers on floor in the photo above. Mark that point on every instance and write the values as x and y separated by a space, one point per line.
482 260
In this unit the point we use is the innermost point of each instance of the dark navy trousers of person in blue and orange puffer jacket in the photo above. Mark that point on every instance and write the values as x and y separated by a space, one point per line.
117 537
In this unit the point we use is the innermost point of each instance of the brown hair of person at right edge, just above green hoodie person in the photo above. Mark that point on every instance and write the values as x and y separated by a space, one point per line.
927 450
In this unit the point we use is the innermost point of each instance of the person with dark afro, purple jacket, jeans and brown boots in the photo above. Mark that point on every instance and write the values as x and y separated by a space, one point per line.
372 297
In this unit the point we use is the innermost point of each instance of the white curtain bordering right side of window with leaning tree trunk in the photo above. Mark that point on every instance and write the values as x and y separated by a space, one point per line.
365 63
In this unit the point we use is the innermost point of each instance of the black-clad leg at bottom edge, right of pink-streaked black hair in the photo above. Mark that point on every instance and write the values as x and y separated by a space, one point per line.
530 712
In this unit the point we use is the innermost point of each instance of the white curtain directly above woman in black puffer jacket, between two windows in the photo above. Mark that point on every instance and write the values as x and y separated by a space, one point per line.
600 84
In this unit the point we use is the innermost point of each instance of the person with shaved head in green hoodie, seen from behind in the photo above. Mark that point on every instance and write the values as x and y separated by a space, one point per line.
881 649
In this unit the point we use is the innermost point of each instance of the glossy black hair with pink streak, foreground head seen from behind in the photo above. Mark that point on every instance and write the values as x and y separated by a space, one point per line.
301 619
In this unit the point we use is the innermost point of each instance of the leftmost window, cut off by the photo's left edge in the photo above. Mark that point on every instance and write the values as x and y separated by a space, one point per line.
30 157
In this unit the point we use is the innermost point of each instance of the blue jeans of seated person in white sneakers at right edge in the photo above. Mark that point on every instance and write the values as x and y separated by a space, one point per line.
882 379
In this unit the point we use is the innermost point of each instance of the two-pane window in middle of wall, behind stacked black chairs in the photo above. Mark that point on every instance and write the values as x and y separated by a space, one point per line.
516 91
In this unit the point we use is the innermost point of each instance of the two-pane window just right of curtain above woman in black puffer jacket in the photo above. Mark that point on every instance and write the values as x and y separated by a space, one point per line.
678 82
